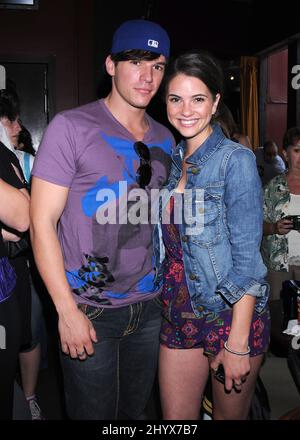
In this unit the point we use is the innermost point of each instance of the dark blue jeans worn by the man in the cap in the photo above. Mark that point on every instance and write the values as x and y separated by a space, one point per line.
117 380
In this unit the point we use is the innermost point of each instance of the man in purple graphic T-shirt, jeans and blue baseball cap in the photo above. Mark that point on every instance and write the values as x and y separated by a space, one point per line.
98 266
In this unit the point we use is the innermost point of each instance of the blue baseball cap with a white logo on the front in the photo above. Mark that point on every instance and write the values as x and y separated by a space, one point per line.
141 34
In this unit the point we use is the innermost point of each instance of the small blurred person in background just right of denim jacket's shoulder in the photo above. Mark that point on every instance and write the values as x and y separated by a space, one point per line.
269 163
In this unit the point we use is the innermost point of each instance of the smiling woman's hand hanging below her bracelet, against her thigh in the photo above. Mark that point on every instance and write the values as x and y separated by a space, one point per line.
236 368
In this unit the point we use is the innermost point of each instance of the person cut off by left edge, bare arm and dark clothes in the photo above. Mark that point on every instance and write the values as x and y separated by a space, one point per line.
14 213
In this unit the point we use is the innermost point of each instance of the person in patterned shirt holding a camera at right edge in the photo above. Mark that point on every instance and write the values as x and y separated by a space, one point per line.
281 243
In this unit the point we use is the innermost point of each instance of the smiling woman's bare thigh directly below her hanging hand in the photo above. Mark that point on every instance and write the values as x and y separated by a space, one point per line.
235 405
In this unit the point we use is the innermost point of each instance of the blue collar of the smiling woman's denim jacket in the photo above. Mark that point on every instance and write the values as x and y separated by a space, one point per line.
201 155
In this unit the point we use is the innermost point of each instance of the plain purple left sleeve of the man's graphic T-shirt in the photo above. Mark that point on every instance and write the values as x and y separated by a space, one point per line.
55 161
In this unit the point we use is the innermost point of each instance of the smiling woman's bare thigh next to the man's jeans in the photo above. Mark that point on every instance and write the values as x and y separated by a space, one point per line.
183 375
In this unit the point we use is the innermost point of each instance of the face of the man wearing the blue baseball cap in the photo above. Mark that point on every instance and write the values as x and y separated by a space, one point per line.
135 82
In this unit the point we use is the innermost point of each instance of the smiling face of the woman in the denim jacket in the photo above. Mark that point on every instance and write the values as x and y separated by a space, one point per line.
190 106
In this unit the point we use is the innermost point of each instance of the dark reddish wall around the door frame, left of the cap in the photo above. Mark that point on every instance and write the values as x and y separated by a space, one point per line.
60 28
